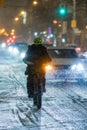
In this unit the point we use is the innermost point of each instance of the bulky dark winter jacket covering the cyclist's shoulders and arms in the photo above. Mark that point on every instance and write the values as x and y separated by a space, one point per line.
37 54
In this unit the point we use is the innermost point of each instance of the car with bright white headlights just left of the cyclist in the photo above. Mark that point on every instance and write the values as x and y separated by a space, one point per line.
18 49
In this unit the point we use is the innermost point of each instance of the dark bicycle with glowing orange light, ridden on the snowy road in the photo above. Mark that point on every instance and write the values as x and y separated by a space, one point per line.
38 82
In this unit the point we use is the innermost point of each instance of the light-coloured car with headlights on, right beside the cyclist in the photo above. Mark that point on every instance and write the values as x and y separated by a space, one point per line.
66 64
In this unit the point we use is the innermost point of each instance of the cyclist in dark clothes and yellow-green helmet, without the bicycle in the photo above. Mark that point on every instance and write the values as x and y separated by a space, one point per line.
36 55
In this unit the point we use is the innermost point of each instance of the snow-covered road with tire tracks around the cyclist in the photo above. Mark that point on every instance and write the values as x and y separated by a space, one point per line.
64 104
